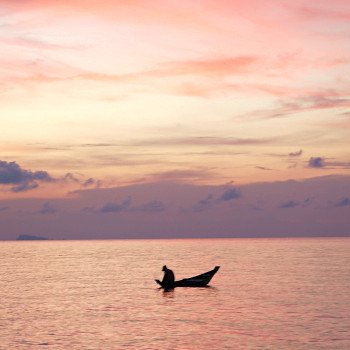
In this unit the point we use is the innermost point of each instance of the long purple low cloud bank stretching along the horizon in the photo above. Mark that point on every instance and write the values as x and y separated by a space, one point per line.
313 207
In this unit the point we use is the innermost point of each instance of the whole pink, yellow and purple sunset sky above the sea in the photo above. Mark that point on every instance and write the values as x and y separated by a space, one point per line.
173 119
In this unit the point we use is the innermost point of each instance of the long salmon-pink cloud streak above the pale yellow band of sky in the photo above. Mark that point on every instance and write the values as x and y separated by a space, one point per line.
203 78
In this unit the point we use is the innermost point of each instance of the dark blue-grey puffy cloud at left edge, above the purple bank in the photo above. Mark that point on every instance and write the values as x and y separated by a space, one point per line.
12 174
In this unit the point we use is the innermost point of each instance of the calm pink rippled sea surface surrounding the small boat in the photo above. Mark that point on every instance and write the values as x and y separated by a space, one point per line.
268 294
